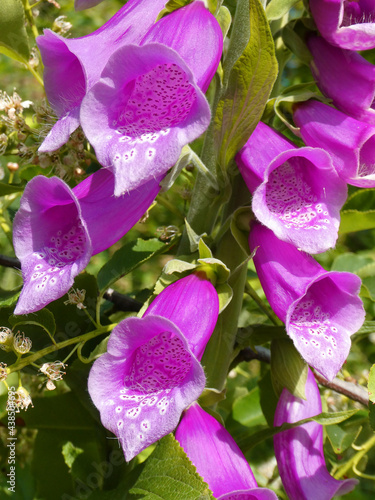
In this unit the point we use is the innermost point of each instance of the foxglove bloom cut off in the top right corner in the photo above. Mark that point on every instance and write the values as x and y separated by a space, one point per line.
347 24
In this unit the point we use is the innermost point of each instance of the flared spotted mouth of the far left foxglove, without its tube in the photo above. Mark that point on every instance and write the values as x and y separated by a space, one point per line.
51 240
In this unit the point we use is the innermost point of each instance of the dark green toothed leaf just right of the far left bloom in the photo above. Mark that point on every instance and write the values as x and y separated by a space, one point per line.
128 258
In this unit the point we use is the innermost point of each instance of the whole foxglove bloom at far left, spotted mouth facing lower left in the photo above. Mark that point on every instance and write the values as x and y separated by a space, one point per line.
58 229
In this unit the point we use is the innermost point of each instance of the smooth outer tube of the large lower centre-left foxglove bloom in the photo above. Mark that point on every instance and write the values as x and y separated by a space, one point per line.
192 304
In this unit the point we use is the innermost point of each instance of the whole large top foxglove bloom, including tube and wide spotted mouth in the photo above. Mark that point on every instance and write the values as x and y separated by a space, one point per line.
148 103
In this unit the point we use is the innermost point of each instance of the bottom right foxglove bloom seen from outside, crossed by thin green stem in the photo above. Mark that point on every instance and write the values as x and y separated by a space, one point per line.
299 451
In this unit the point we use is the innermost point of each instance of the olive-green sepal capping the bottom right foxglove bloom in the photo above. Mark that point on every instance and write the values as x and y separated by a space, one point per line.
288 369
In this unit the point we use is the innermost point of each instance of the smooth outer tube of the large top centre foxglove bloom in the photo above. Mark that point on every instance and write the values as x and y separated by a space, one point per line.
194 33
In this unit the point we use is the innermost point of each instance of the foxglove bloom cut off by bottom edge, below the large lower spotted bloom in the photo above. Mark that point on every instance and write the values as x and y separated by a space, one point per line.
217 458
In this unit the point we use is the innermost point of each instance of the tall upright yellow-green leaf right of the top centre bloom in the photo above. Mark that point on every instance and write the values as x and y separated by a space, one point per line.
250 70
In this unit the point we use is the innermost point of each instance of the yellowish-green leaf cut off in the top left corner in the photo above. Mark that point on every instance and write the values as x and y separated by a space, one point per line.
13 37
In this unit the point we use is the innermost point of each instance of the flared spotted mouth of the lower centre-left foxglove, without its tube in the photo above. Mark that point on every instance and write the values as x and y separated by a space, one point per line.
150 377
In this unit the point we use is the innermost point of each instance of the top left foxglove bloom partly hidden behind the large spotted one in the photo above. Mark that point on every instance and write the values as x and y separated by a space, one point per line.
73 65
